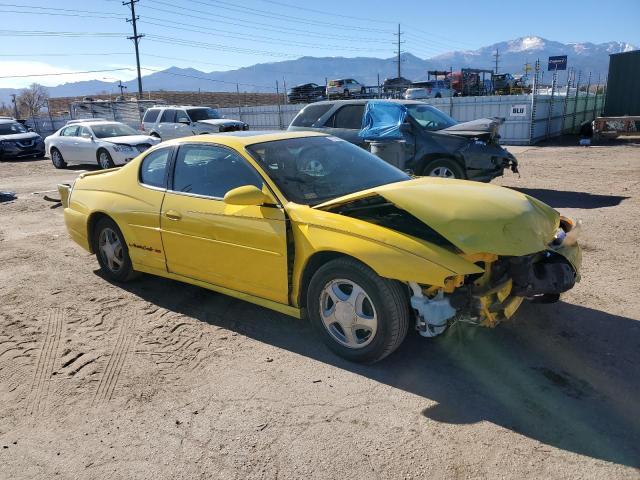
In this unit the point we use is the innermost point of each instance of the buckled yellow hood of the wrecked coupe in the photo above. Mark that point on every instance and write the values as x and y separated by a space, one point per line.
475 217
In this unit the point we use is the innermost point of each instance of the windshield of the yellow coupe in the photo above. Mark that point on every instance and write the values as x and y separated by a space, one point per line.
313 170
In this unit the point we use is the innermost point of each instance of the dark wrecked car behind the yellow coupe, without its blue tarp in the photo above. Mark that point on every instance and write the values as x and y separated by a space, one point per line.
434 143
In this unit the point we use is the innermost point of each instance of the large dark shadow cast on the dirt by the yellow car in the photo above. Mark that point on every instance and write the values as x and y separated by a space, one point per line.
562 374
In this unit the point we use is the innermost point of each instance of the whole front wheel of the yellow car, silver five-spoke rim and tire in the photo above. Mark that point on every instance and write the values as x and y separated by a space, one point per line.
359 315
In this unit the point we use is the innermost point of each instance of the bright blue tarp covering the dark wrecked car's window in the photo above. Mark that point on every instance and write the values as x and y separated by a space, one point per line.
382 120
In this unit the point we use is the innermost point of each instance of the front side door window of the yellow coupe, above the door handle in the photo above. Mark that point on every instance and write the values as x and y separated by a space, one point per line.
212 171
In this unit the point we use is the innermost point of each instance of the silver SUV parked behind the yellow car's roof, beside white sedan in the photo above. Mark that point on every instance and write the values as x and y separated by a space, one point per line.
167 122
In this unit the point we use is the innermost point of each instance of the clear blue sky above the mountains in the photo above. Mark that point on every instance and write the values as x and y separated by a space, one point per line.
225 34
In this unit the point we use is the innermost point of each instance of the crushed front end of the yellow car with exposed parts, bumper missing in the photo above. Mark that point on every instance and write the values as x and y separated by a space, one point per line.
488 298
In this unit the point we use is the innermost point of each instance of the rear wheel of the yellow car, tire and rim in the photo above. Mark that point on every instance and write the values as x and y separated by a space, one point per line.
112 251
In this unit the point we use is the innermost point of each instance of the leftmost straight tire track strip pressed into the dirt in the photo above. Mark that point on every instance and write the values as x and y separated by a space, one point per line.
38 392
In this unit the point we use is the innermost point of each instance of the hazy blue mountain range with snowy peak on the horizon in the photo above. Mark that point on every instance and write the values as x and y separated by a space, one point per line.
513 55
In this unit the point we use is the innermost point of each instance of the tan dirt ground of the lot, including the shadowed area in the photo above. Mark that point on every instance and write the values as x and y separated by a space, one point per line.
156 379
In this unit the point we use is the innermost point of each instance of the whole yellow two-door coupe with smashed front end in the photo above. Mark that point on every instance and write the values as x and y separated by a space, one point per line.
313 226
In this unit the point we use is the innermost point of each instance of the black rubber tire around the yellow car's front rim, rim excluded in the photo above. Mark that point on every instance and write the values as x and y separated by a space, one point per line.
387 297
